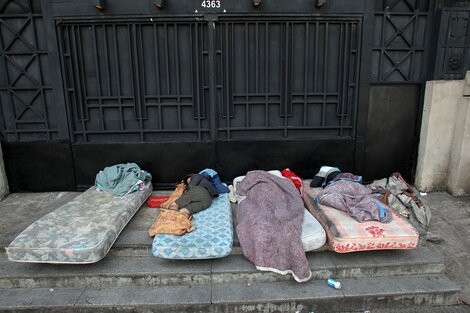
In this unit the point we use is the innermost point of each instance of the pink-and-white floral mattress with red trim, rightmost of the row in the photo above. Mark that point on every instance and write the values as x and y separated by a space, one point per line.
345 234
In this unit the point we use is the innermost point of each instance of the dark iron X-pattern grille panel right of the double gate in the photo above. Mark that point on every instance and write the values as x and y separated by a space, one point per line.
399 40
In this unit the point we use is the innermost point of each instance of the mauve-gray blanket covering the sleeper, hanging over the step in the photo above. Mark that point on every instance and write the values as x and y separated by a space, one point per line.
269 225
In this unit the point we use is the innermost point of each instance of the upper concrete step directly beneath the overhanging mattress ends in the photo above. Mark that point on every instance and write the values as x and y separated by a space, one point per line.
118 271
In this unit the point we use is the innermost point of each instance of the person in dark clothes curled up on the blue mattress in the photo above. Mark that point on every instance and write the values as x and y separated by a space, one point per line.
197 195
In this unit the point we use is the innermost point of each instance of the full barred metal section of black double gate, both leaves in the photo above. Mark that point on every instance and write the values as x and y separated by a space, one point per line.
147 81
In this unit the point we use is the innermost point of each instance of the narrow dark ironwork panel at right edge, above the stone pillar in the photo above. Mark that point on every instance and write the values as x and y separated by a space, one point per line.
453 52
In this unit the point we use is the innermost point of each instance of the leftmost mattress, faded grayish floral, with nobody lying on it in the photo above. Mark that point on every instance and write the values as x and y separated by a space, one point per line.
80 231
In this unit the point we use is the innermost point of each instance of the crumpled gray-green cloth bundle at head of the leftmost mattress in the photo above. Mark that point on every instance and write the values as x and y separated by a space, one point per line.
122 179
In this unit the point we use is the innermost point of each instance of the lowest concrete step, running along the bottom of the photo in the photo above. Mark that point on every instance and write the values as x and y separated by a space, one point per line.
365 293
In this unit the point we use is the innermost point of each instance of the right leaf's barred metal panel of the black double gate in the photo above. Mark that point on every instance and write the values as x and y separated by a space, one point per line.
290 79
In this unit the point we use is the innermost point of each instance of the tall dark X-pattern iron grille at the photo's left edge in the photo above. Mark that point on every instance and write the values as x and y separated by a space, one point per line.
26 100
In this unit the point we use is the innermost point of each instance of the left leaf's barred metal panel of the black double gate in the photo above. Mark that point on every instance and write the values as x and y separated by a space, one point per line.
136 81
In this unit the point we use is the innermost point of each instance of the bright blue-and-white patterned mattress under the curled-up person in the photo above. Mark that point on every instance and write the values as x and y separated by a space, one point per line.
213 237
